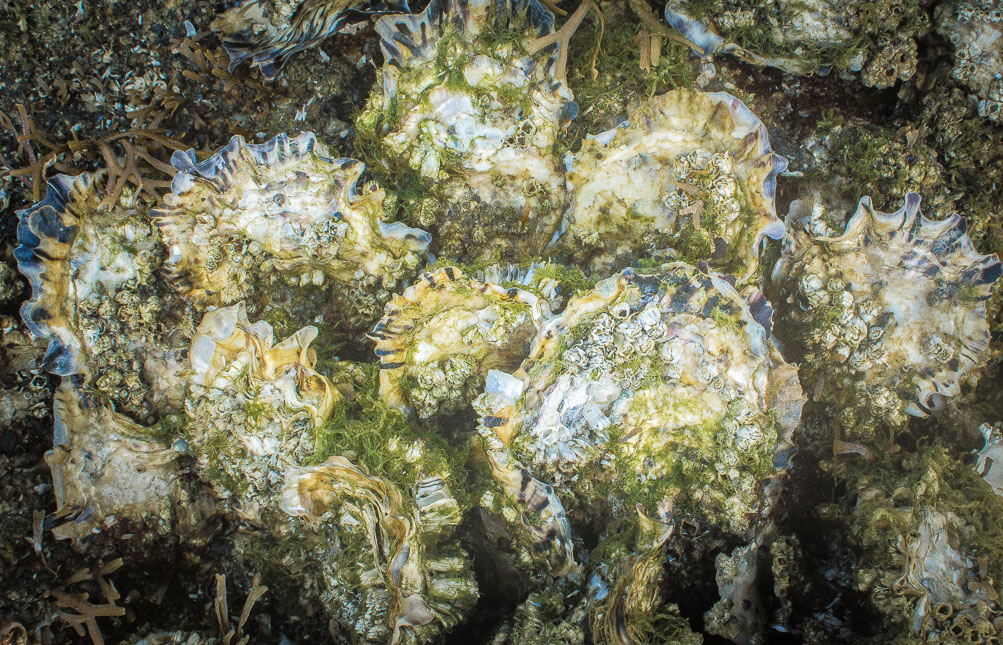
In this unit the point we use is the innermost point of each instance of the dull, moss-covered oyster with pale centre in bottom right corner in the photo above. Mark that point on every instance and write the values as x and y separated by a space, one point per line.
928 530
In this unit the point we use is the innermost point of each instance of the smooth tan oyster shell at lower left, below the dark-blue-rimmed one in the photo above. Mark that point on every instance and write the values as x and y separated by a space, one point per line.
107 468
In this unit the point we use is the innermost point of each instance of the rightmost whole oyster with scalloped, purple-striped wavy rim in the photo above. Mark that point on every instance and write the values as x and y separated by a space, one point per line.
891 312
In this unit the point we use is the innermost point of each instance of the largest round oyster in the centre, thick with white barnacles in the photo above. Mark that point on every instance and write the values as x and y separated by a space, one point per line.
659 393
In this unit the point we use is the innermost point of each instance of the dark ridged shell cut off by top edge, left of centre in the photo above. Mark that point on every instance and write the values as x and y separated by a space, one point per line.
268 33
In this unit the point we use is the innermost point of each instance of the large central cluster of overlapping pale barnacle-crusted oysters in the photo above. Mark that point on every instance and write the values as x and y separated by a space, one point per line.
649 412
